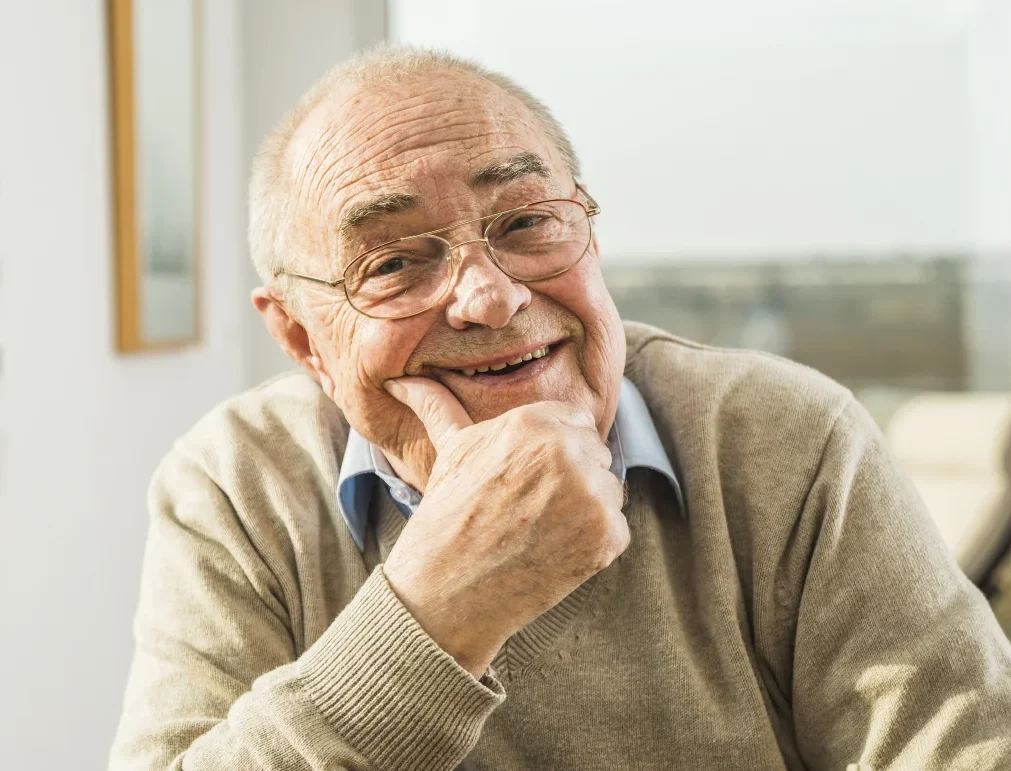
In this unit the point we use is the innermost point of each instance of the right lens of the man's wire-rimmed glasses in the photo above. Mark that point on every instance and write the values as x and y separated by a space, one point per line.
540 241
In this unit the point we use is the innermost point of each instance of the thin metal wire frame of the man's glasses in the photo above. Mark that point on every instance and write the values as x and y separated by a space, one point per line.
591 208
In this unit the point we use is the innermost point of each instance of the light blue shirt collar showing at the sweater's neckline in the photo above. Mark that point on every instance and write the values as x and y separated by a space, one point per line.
633 441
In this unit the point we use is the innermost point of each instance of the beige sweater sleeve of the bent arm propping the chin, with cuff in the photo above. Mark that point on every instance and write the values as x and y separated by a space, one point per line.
216 683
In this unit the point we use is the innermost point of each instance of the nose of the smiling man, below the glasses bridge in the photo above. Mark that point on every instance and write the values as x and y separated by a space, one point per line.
483 294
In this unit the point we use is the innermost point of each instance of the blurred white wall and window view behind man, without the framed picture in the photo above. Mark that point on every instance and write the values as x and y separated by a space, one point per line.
831 182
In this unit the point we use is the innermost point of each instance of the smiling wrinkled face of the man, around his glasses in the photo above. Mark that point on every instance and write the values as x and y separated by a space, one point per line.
426 141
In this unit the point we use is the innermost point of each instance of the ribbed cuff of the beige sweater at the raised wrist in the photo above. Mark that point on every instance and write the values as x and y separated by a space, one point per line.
391 692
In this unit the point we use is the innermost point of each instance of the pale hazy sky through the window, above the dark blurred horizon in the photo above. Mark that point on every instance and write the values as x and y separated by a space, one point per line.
743 129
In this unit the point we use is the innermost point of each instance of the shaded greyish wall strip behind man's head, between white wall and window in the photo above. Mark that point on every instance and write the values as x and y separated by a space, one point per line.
288 48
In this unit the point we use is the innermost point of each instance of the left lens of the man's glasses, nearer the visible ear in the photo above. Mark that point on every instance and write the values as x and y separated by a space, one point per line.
406 277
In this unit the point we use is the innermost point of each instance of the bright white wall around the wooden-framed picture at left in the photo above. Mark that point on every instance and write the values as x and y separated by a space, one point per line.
84 428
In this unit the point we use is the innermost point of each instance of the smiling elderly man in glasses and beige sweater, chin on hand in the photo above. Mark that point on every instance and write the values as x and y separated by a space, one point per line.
492 526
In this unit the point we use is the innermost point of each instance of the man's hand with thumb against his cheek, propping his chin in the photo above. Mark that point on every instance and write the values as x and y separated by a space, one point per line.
519 511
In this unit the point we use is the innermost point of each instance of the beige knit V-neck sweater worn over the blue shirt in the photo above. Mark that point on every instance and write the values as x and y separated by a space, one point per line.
804 615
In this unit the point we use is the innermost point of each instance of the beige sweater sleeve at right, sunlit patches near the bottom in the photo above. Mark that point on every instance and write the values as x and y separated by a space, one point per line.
898 662
